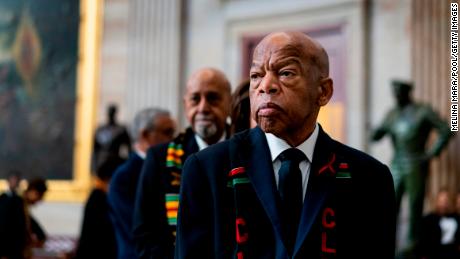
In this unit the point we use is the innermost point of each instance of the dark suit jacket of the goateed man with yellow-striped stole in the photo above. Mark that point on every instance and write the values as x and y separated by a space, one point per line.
153 235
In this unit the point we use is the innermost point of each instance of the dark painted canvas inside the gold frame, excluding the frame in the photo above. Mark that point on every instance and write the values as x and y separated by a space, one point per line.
38 64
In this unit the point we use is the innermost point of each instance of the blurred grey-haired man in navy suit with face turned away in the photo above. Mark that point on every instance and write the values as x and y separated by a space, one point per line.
150 127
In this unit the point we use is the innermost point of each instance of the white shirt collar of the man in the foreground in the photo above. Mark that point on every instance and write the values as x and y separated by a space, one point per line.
277 145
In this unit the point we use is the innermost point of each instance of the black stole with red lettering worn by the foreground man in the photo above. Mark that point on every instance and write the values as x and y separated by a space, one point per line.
239 182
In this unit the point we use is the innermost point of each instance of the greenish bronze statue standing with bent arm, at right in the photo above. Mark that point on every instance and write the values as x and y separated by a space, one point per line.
409 125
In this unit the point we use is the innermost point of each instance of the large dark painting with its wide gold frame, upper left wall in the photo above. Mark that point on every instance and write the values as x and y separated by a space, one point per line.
47 79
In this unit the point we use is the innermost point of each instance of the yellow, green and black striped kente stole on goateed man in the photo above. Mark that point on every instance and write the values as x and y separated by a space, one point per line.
175 153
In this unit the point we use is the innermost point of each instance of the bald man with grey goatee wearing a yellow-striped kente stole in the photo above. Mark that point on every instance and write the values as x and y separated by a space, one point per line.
207 106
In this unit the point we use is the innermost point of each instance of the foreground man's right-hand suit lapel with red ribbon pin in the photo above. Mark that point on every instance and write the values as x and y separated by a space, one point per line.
320 184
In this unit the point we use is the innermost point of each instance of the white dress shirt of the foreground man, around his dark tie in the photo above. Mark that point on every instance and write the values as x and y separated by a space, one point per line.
277 146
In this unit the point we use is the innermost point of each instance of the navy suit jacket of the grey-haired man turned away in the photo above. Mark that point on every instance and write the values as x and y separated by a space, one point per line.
121 198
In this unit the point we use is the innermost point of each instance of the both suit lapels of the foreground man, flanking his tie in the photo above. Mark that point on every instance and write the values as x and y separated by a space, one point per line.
256 158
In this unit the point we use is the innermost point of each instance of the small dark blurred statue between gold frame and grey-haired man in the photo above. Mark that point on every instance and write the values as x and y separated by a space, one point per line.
111 141
